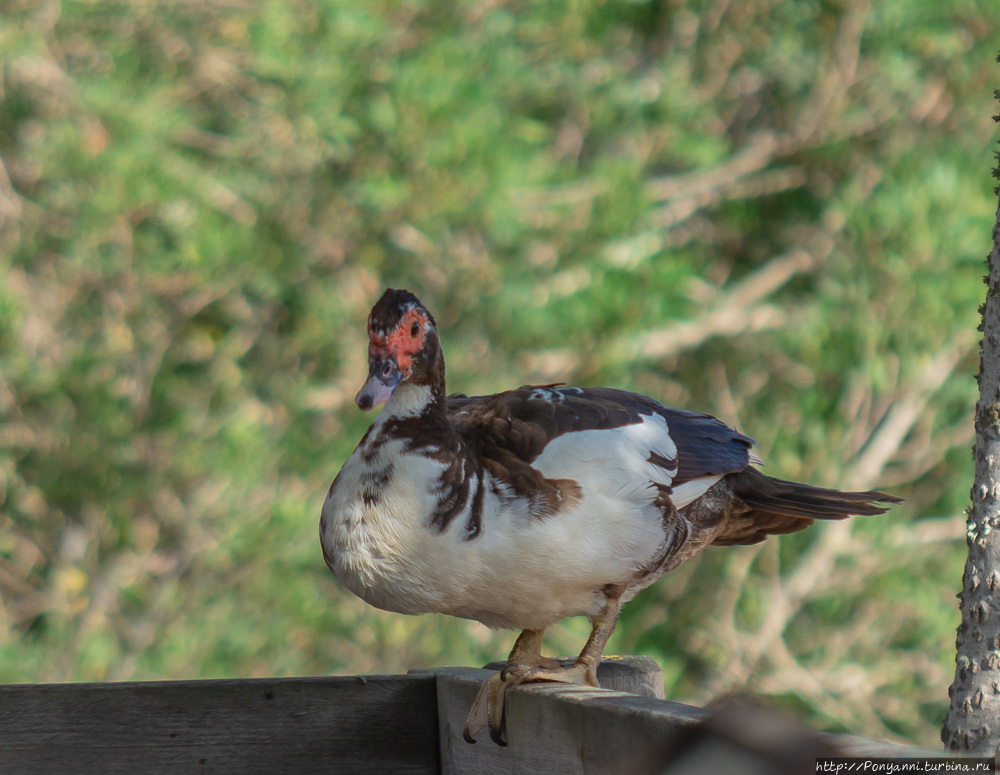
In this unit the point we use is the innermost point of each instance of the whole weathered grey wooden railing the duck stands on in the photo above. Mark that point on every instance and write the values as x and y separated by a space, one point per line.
375 724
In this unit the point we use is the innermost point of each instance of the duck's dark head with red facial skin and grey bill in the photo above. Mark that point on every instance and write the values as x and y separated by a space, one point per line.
403 347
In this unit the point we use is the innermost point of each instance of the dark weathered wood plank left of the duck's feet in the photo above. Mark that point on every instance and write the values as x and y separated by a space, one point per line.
374 724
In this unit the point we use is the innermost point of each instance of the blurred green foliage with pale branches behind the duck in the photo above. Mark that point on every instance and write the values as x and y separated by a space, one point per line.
773 211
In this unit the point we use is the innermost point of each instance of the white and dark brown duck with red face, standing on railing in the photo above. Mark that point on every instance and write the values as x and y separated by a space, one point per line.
528 506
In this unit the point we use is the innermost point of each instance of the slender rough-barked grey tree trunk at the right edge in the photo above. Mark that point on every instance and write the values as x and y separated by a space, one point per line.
973 720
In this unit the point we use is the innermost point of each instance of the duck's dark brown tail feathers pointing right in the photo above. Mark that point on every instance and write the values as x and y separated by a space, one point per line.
778 507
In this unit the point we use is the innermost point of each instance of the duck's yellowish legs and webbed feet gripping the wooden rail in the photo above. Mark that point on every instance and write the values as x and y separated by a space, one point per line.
488 708
